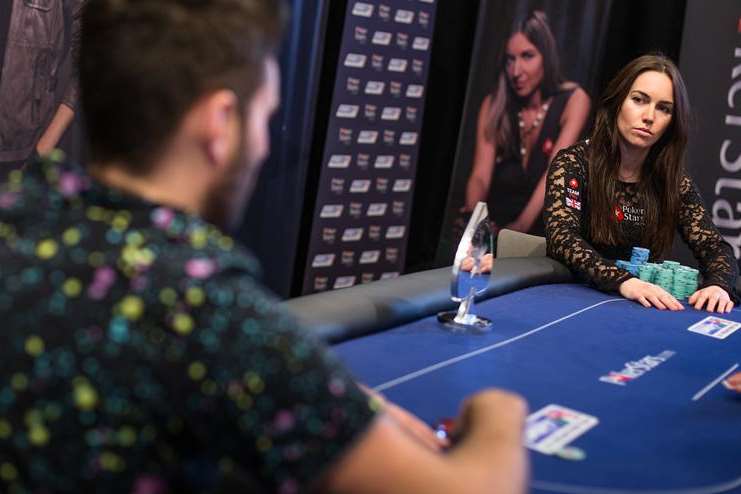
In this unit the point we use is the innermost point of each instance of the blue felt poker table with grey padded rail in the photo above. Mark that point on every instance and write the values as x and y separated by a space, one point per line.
666 423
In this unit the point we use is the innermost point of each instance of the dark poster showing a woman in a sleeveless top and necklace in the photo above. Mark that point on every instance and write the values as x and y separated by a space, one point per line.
528 98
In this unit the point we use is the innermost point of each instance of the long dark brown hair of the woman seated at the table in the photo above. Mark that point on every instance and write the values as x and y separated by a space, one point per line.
662 171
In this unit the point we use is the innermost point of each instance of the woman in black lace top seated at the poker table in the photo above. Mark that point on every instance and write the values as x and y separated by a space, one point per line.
627 186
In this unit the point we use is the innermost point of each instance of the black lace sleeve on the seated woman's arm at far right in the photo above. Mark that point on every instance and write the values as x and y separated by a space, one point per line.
717 263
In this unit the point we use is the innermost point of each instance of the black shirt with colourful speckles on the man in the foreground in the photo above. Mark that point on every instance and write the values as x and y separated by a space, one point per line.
139 355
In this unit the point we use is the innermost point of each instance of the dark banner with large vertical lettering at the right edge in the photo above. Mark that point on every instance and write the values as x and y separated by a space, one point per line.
710 62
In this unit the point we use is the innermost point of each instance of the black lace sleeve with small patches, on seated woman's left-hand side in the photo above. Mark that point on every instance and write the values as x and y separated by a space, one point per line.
565 200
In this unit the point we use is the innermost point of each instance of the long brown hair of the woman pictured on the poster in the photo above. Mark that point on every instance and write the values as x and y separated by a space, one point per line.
499 129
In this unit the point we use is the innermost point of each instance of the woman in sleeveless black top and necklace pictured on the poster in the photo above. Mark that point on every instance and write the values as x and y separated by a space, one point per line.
530 115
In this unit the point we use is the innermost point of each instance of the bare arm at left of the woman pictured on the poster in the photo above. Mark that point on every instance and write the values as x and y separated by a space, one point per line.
479 181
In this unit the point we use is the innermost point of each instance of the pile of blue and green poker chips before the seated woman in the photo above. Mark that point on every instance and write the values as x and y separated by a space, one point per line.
680 281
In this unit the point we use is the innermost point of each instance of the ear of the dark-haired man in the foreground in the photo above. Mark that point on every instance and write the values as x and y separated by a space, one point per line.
220 126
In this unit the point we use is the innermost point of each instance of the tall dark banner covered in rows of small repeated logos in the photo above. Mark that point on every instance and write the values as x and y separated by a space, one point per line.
361 219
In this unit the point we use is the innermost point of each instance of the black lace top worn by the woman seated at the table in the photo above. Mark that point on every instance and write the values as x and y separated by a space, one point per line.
567 207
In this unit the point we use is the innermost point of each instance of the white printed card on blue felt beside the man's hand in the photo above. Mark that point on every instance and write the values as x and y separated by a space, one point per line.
553 427
